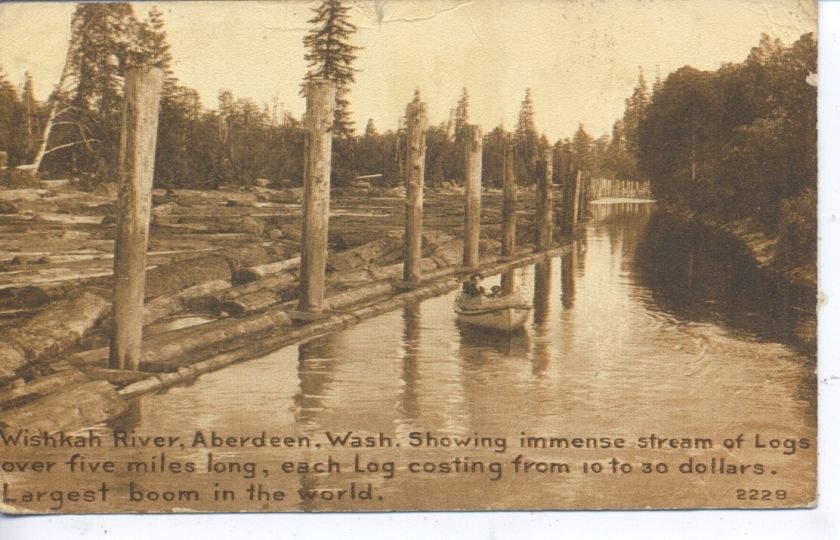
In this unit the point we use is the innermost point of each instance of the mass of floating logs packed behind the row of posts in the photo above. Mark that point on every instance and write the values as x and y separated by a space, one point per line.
221 280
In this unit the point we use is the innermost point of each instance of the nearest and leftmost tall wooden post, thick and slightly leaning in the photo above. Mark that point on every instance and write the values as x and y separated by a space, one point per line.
138 138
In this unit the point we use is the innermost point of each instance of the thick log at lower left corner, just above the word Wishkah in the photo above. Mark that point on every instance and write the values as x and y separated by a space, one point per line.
85 405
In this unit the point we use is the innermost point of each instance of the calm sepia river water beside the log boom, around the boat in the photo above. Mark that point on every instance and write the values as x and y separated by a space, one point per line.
645 326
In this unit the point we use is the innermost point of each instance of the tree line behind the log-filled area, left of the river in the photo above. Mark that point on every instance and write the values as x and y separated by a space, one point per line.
238 140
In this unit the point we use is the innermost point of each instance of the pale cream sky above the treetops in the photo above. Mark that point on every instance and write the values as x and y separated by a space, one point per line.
580 58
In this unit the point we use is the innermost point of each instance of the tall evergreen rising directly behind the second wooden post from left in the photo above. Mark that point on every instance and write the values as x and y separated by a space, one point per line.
330 56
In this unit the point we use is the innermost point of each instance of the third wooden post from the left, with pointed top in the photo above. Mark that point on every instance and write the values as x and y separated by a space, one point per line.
415 124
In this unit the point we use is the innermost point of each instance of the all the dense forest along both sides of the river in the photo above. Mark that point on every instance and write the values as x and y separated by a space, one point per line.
736 142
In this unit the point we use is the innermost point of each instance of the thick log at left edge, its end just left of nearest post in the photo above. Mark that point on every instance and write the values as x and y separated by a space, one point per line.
54 329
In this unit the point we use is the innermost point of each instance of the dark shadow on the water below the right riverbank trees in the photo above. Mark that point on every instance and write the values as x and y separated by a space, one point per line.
697 274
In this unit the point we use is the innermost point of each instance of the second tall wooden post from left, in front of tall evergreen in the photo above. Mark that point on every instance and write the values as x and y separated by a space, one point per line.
318 121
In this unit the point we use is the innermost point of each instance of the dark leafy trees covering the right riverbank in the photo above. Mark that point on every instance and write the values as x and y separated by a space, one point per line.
735 149
